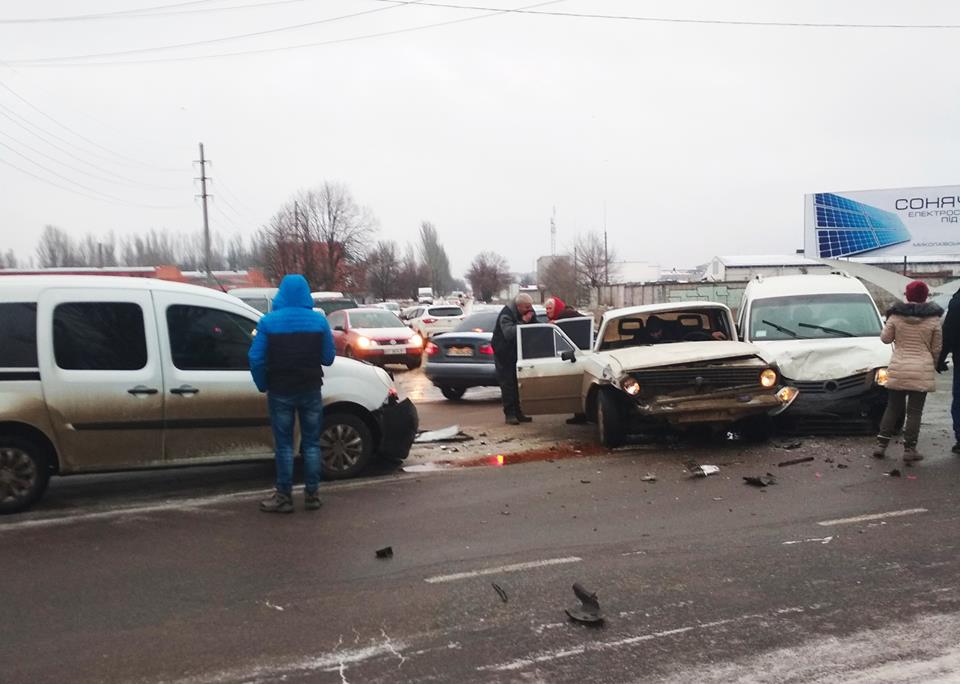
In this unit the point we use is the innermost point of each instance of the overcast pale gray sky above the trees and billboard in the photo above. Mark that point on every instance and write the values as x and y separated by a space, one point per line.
700 139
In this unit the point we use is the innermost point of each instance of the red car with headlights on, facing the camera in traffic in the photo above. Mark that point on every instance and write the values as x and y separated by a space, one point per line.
375 336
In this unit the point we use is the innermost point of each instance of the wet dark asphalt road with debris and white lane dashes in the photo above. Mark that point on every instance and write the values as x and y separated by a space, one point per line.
175 577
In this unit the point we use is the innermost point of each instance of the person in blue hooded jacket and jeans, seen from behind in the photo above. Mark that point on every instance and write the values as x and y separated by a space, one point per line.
292 344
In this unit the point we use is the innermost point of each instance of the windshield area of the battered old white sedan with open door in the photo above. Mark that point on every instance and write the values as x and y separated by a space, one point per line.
664 327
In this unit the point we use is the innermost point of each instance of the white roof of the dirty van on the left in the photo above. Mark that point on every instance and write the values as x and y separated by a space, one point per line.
30 286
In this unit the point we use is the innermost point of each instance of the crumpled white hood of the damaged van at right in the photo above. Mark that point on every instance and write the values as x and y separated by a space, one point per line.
827 359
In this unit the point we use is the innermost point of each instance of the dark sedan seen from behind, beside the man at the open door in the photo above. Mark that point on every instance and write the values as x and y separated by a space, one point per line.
463 358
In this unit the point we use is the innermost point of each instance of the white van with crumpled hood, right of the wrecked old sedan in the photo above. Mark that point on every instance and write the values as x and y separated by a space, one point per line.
823 331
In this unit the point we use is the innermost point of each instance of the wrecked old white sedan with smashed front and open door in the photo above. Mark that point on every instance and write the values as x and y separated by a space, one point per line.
658 365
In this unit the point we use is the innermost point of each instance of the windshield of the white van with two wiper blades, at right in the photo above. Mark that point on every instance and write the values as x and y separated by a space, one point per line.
808 317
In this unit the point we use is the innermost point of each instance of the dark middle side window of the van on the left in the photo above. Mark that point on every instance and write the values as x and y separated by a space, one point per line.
99 336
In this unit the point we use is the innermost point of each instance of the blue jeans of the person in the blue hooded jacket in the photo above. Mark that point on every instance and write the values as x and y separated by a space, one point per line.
283 409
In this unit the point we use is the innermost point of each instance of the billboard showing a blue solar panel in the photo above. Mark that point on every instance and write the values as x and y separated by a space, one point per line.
900 222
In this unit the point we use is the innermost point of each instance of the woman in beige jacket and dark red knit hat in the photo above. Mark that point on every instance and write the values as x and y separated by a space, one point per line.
913 327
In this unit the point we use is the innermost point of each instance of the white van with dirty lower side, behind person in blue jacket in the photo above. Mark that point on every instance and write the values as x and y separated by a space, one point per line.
109 373
